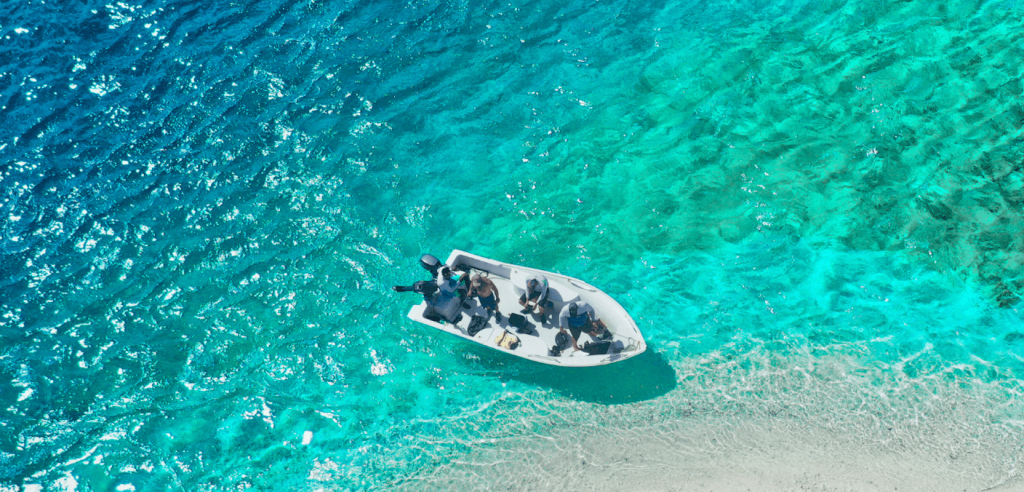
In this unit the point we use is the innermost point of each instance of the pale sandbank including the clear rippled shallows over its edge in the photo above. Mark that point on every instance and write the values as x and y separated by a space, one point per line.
844 435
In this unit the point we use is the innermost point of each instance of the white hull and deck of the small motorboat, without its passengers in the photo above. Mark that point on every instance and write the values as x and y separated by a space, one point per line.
535 343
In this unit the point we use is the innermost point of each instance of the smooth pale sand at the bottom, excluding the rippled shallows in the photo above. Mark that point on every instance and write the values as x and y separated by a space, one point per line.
756 460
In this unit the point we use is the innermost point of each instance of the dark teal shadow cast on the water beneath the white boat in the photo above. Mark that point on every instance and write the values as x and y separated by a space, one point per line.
643 378
